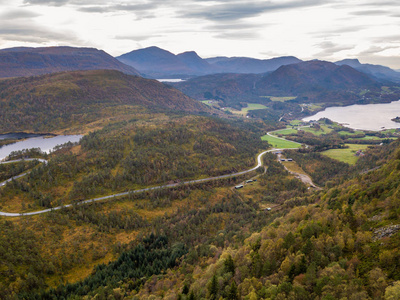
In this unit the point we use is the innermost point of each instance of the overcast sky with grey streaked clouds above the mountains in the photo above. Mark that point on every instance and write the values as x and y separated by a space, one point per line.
309 29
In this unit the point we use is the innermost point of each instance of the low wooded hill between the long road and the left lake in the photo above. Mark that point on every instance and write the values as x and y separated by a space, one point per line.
131 155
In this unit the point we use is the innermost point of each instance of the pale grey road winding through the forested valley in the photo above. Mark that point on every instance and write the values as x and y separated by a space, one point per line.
7 214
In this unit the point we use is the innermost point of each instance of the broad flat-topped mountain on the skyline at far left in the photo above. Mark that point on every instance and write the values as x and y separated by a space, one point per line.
15 62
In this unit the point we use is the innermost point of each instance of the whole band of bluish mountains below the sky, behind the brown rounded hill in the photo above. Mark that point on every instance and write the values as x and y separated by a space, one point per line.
229 79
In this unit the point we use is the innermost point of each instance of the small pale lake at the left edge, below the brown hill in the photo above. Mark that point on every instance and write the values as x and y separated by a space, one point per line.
45 144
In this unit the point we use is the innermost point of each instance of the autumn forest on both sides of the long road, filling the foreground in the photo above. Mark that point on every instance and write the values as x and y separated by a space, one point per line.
203 241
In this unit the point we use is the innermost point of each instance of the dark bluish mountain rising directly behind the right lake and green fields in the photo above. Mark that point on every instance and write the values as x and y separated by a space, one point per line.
311 81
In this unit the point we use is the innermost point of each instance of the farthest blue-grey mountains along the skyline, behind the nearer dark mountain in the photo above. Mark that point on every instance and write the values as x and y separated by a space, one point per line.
154 62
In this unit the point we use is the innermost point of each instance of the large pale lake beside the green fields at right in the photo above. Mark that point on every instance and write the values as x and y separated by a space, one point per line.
365 117
